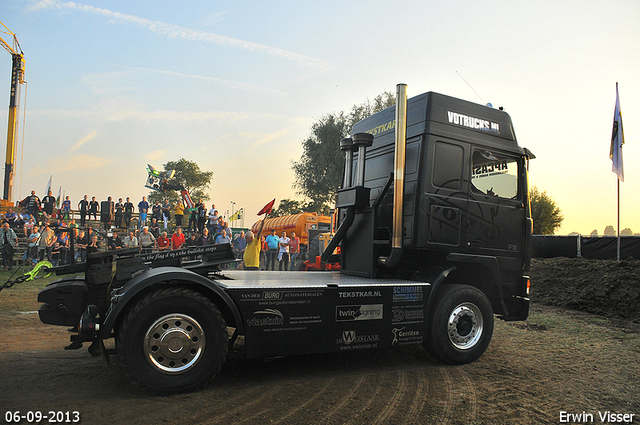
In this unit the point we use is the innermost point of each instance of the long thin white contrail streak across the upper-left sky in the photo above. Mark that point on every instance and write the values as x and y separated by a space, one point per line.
174 31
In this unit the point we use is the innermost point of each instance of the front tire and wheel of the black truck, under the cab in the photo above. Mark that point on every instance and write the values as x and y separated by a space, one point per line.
461 325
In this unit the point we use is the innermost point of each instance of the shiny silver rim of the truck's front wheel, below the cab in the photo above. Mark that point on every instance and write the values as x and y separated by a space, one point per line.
465 326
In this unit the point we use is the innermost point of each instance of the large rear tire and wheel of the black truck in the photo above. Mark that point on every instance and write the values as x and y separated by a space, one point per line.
173 340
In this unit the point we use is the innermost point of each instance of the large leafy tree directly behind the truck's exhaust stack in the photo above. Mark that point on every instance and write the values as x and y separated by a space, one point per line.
318 173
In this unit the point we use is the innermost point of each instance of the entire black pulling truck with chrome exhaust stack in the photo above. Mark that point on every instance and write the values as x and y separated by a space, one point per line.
434 226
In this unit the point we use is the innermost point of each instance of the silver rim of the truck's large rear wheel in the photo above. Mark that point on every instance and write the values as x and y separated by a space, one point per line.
174 343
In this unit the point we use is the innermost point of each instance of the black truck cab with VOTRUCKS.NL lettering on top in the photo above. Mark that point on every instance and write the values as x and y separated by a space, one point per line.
465 203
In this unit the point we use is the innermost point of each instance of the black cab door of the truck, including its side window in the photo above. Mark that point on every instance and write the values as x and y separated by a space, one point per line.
496 215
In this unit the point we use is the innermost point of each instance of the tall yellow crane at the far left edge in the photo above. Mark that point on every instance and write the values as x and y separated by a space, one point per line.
17 78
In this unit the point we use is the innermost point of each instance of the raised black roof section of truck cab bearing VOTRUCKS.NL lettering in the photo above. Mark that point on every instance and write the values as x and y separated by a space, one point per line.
445 116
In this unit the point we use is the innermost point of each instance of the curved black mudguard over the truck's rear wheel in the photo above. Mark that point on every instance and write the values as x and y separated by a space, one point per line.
121 297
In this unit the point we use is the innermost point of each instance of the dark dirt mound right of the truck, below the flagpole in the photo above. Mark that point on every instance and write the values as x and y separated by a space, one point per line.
605 287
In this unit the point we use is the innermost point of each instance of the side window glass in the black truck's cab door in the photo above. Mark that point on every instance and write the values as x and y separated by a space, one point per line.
494 175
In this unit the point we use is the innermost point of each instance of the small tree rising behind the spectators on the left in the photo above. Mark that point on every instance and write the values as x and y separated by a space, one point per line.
188 175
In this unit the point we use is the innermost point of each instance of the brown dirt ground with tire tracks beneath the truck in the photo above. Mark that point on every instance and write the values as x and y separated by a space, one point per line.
558 361
